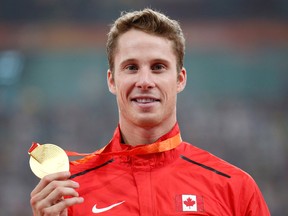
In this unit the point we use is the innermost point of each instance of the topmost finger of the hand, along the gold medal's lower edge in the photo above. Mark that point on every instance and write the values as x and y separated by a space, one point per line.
49 178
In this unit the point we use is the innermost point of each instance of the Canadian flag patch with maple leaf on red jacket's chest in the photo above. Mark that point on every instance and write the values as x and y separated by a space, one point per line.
189 203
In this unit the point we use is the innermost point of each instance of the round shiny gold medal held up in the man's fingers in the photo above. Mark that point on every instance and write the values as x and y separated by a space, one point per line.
47 159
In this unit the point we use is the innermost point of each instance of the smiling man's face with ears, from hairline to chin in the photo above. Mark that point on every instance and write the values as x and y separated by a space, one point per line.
145 80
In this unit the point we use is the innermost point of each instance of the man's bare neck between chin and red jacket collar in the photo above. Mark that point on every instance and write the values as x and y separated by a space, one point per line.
135 135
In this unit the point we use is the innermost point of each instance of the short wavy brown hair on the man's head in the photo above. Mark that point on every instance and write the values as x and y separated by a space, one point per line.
149 21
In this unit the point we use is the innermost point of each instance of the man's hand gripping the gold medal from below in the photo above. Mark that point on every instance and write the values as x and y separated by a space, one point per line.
47 198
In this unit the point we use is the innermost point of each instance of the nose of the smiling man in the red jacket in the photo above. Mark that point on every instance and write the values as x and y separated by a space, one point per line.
145 79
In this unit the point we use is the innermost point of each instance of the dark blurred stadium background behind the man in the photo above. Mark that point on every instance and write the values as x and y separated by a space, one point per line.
53 85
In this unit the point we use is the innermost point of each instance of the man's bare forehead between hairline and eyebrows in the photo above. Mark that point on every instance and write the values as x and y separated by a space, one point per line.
138 44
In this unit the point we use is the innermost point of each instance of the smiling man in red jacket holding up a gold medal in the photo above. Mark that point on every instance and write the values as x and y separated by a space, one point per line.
147 169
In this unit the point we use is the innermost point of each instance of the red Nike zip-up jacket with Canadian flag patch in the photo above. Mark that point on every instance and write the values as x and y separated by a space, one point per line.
169 177
